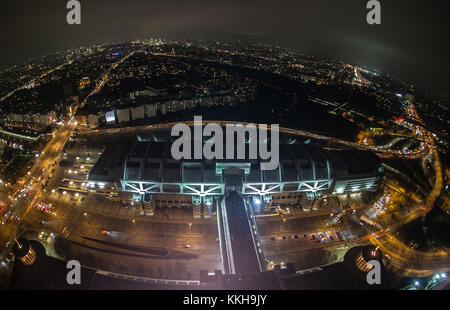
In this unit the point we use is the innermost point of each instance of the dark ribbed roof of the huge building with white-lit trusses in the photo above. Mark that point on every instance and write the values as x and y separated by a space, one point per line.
152 161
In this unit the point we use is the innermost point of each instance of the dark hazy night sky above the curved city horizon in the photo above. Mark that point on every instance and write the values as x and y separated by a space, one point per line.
412 41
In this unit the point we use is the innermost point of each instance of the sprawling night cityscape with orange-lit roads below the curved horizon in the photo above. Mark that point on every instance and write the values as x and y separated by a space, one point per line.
191 164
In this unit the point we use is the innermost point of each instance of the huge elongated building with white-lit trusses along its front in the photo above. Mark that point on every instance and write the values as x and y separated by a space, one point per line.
144 173
